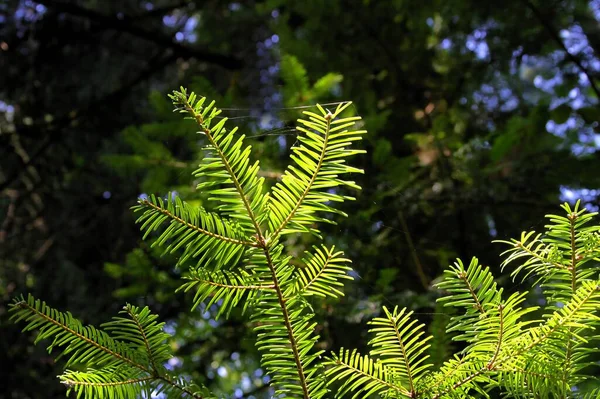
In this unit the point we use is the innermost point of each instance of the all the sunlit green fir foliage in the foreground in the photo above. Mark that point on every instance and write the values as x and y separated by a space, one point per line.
235 256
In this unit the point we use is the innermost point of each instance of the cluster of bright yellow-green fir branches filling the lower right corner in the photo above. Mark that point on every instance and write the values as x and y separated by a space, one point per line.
506 349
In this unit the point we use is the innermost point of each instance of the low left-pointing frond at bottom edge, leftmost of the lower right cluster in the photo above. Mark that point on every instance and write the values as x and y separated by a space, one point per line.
363 376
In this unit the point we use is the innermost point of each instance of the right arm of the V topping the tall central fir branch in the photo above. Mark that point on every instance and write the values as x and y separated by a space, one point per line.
309 186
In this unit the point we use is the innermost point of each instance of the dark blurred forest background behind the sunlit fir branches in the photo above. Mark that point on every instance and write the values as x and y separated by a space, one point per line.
482 117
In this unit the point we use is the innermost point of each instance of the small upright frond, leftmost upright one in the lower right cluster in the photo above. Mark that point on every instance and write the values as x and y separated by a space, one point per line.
400 345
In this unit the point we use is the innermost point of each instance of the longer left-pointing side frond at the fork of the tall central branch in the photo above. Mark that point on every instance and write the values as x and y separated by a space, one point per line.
203 235
